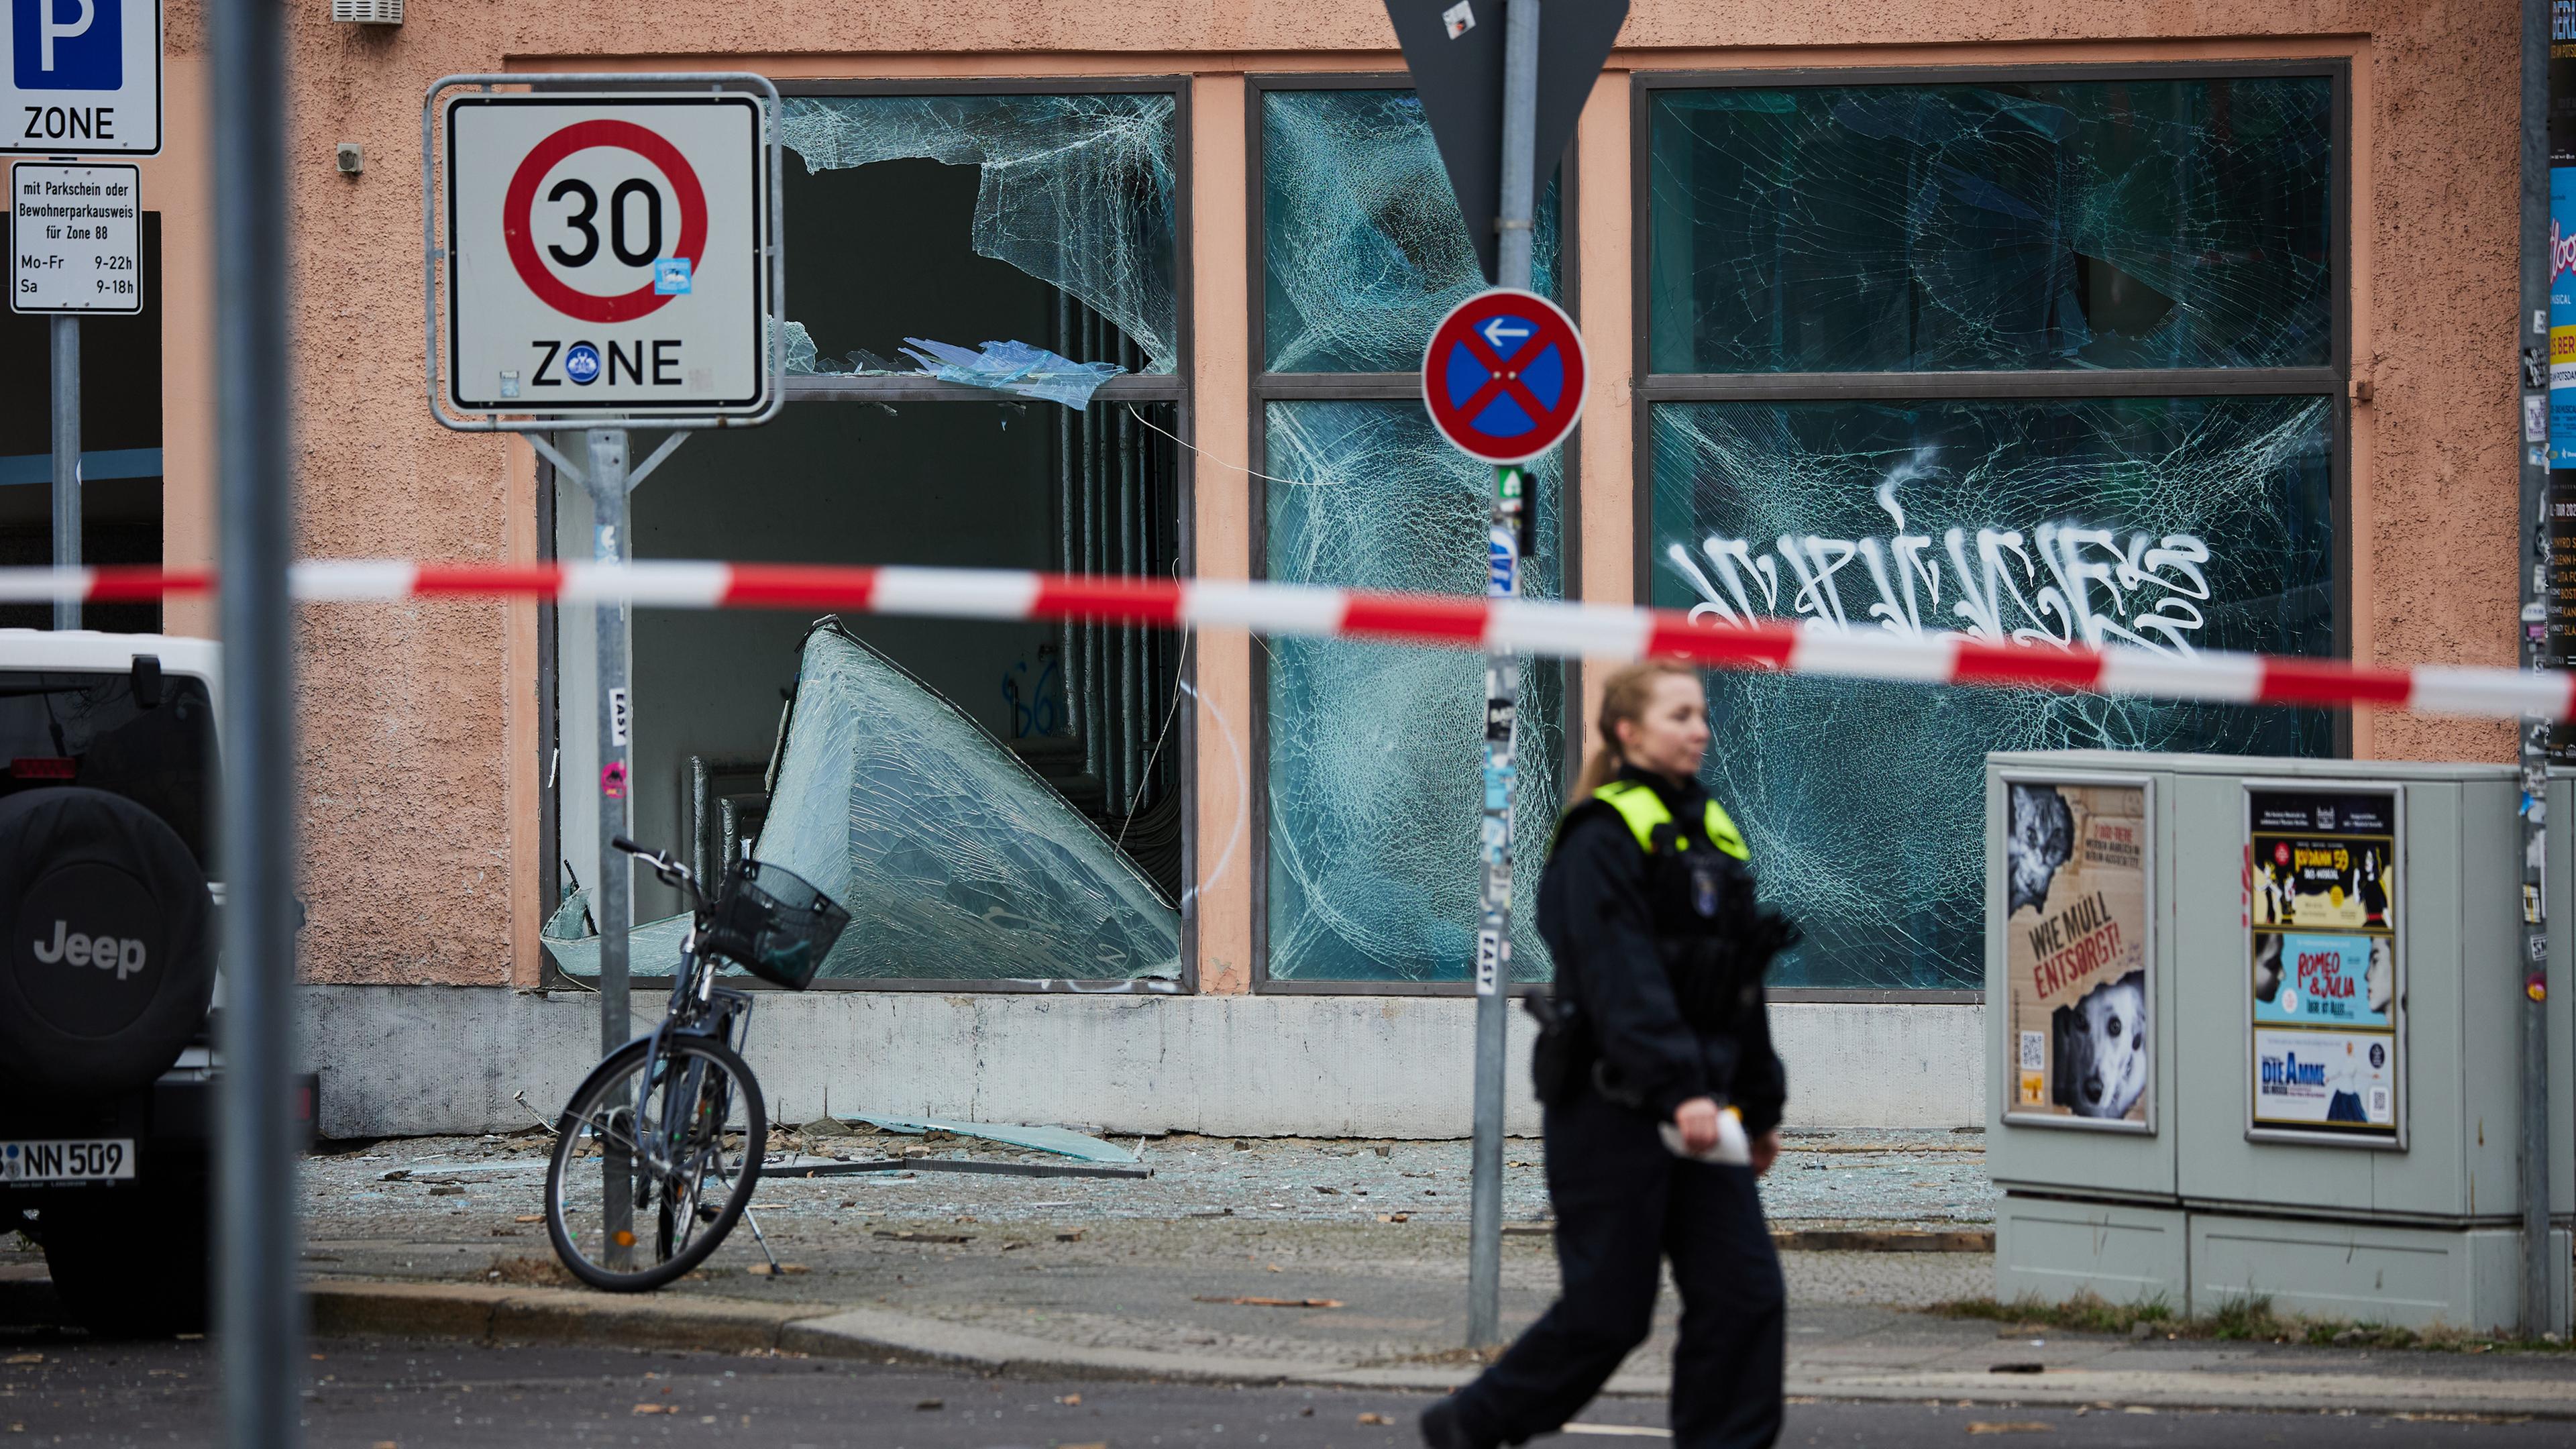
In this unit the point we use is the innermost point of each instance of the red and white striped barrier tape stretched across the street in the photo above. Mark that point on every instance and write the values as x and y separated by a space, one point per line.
1531 628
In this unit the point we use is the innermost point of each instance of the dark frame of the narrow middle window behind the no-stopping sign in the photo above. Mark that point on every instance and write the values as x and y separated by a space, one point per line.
1269 388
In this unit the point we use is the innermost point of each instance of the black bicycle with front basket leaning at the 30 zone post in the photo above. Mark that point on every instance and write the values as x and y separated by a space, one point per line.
658 1151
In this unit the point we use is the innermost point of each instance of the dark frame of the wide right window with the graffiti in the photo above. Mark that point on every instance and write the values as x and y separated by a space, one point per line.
2036 385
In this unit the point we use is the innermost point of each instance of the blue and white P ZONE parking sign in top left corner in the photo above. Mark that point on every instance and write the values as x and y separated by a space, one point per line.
81 79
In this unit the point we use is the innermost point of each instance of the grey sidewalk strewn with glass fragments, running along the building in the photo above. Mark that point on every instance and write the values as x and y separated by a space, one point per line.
1145 1278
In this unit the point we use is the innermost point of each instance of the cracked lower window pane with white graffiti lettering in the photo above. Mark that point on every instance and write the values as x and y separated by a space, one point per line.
2145 522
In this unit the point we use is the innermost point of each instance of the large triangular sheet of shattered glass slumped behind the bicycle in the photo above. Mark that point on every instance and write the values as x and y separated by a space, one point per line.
952 857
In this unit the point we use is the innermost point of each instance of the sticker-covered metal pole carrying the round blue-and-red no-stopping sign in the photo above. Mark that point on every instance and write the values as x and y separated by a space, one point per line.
1501 710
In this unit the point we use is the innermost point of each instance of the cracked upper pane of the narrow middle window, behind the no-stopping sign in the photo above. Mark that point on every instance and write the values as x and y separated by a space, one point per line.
1364 246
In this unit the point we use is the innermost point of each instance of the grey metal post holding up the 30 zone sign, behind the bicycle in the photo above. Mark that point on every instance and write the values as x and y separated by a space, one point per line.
614 899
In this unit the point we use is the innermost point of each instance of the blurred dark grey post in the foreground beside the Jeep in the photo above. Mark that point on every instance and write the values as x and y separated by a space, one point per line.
259 1316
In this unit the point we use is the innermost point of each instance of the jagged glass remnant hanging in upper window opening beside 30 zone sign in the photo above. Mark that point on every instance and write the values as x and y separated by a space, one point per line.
1075 190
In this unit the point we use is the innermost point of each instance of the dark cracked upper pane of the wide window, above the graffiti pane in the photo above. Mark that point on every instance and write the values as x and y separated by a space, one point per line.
1998 226
